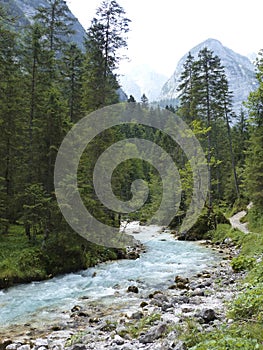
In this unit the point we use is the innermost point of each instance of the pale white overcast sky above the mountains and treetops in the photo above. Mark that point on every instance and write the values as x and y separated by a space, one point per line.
162 31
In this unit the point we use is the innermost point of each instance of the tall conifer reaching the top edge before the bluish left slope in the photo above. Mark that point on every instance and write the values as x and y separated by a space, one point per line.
56 24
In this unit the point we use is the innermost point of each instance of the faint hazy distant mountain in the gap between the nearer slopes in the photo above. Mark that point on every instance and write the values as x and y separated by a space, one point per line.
142 79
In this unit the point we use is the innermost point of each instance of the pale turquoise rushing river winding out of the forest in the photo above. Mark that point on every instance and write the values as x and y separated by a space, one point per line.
52 299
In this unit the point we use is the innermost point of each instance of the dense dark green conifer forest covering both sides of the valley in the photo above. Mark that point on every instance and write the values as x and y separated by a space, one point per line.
48 84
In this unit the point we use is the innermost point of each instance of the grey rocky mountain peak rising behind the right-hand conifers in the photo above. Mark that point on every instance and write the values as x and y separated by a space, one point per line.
239 70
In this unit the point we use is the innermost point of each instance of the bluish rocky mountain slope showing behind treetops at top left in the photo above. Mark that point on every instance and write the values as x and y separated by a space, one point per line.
24 10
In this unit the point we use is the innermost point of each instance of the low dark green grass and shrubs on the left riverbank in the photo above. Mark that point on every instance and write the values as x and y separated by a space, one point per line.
24 261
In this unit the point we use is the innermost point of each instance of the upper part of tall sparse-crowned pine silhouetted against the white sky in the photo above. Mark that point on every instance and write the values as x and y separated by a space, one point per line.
106 37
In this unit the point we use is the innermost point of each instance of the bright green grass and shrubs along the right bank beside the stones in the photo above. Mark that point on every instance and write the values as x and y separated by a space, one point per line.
246 310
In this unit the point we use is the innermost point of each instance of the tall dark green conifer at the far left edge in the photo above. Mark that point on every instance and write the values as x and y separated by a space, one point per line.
12 118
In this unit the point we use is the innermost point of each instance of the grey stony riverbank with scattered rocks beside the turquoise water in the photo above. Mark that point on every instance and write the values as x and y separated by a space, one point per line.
155 321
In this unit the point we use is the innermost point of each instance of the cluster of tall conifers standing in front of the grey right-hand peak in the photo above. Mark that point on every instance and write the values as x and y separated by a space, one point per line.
205 97
